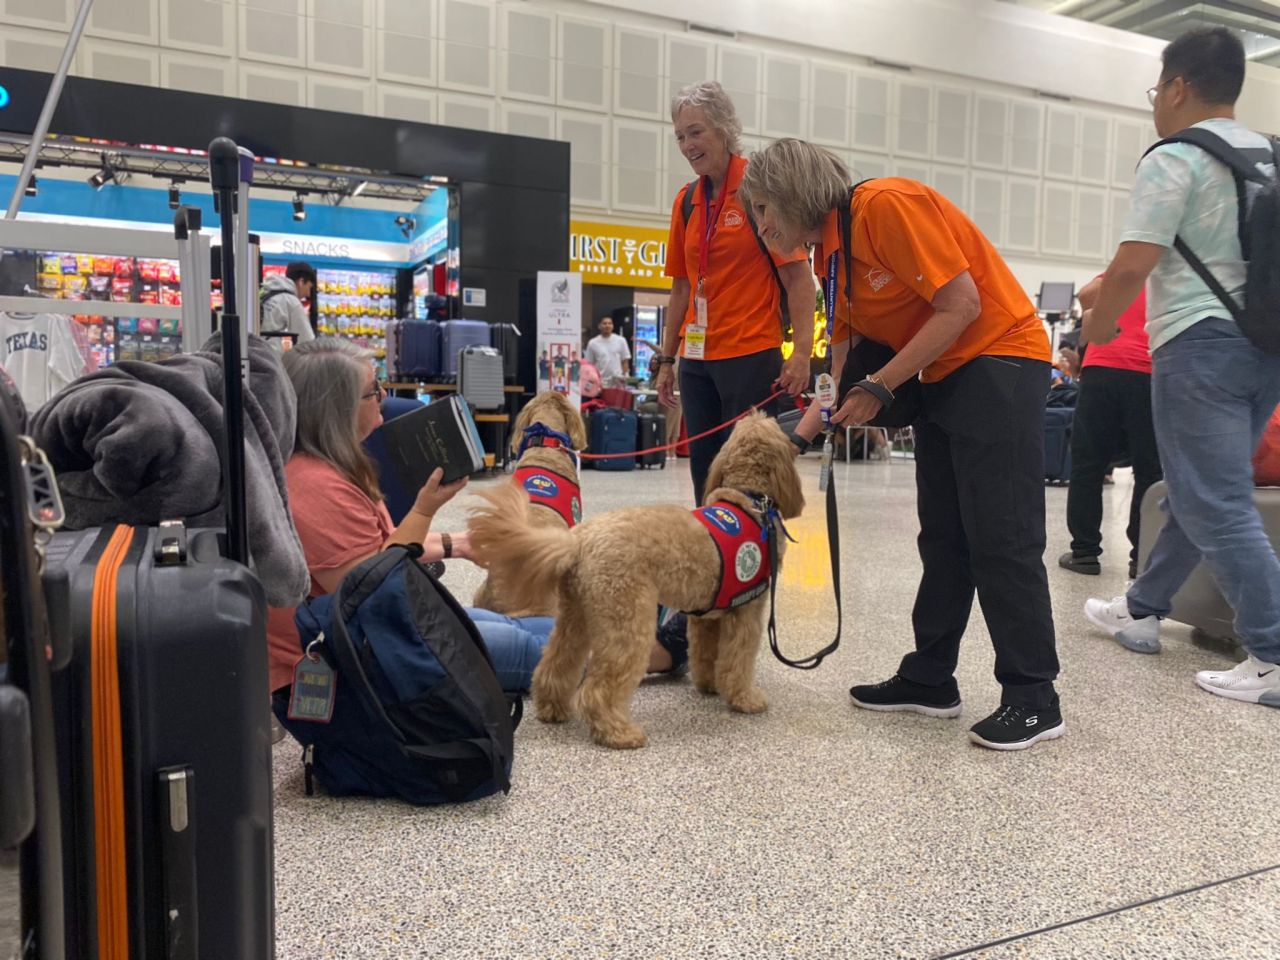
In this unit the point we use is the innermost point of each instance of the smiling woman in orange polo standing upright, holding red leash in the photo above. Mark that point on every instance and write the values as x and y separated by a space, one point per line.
725 318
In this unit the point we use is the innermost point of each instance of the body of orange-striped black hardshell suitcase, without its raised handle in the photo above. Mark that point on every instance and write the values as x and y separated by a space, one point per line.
195 732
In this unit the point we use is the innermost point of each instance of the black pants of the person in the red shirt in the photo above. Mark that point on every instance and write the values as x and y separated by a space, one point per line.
1113 417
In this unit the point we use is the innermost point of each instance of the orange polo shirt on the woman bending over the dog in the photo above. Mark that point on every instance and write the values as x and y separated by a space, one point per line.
908 243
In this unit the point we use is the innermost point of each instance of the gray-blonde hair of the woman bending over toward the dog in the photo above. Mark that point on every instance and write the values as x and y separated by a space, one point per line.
799 182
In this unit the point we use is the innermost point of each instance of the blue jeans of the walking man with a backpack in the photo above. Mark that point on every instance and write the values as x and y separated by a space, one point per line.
1213 394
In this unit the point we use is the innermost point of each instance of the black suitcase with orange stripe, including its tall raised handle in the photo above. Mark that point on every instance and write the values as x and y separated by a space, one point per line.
161 811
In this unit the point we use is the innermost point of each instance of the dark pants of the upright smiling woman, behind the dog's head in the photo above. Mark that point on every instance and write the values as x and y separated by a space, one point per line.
715 391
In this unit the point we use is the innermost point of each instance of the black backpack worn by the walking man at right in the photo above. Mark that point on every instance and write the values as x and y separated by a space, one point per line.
1259 318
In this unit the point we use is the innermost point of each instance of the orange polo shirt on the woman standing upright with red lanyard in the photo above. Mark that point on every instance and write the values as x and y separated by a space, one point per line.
743 300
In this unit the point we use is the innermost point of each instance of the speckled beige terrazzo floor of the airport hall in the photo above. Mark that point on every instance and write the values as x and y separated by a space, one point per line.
817 830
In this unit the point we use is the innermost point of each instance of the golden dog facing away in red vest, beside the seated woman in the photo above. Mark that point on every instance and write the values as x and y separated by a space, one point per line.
547 476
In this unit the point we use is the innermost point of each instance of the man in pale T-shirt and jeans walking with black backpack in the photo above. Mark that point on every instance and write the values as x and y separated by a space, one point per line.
1205 228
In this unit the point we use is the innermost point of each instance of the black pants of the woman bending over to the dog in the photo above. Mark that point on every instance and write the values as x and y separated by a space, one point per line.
980 476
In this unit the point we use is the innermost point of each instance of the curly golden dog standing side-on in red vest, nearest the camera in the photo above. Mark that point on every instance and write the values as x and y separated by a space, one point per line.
687 560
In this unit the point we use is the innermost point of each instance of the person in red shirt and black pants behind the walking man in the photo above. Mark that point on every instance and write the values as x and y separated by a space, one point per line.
1113 418
